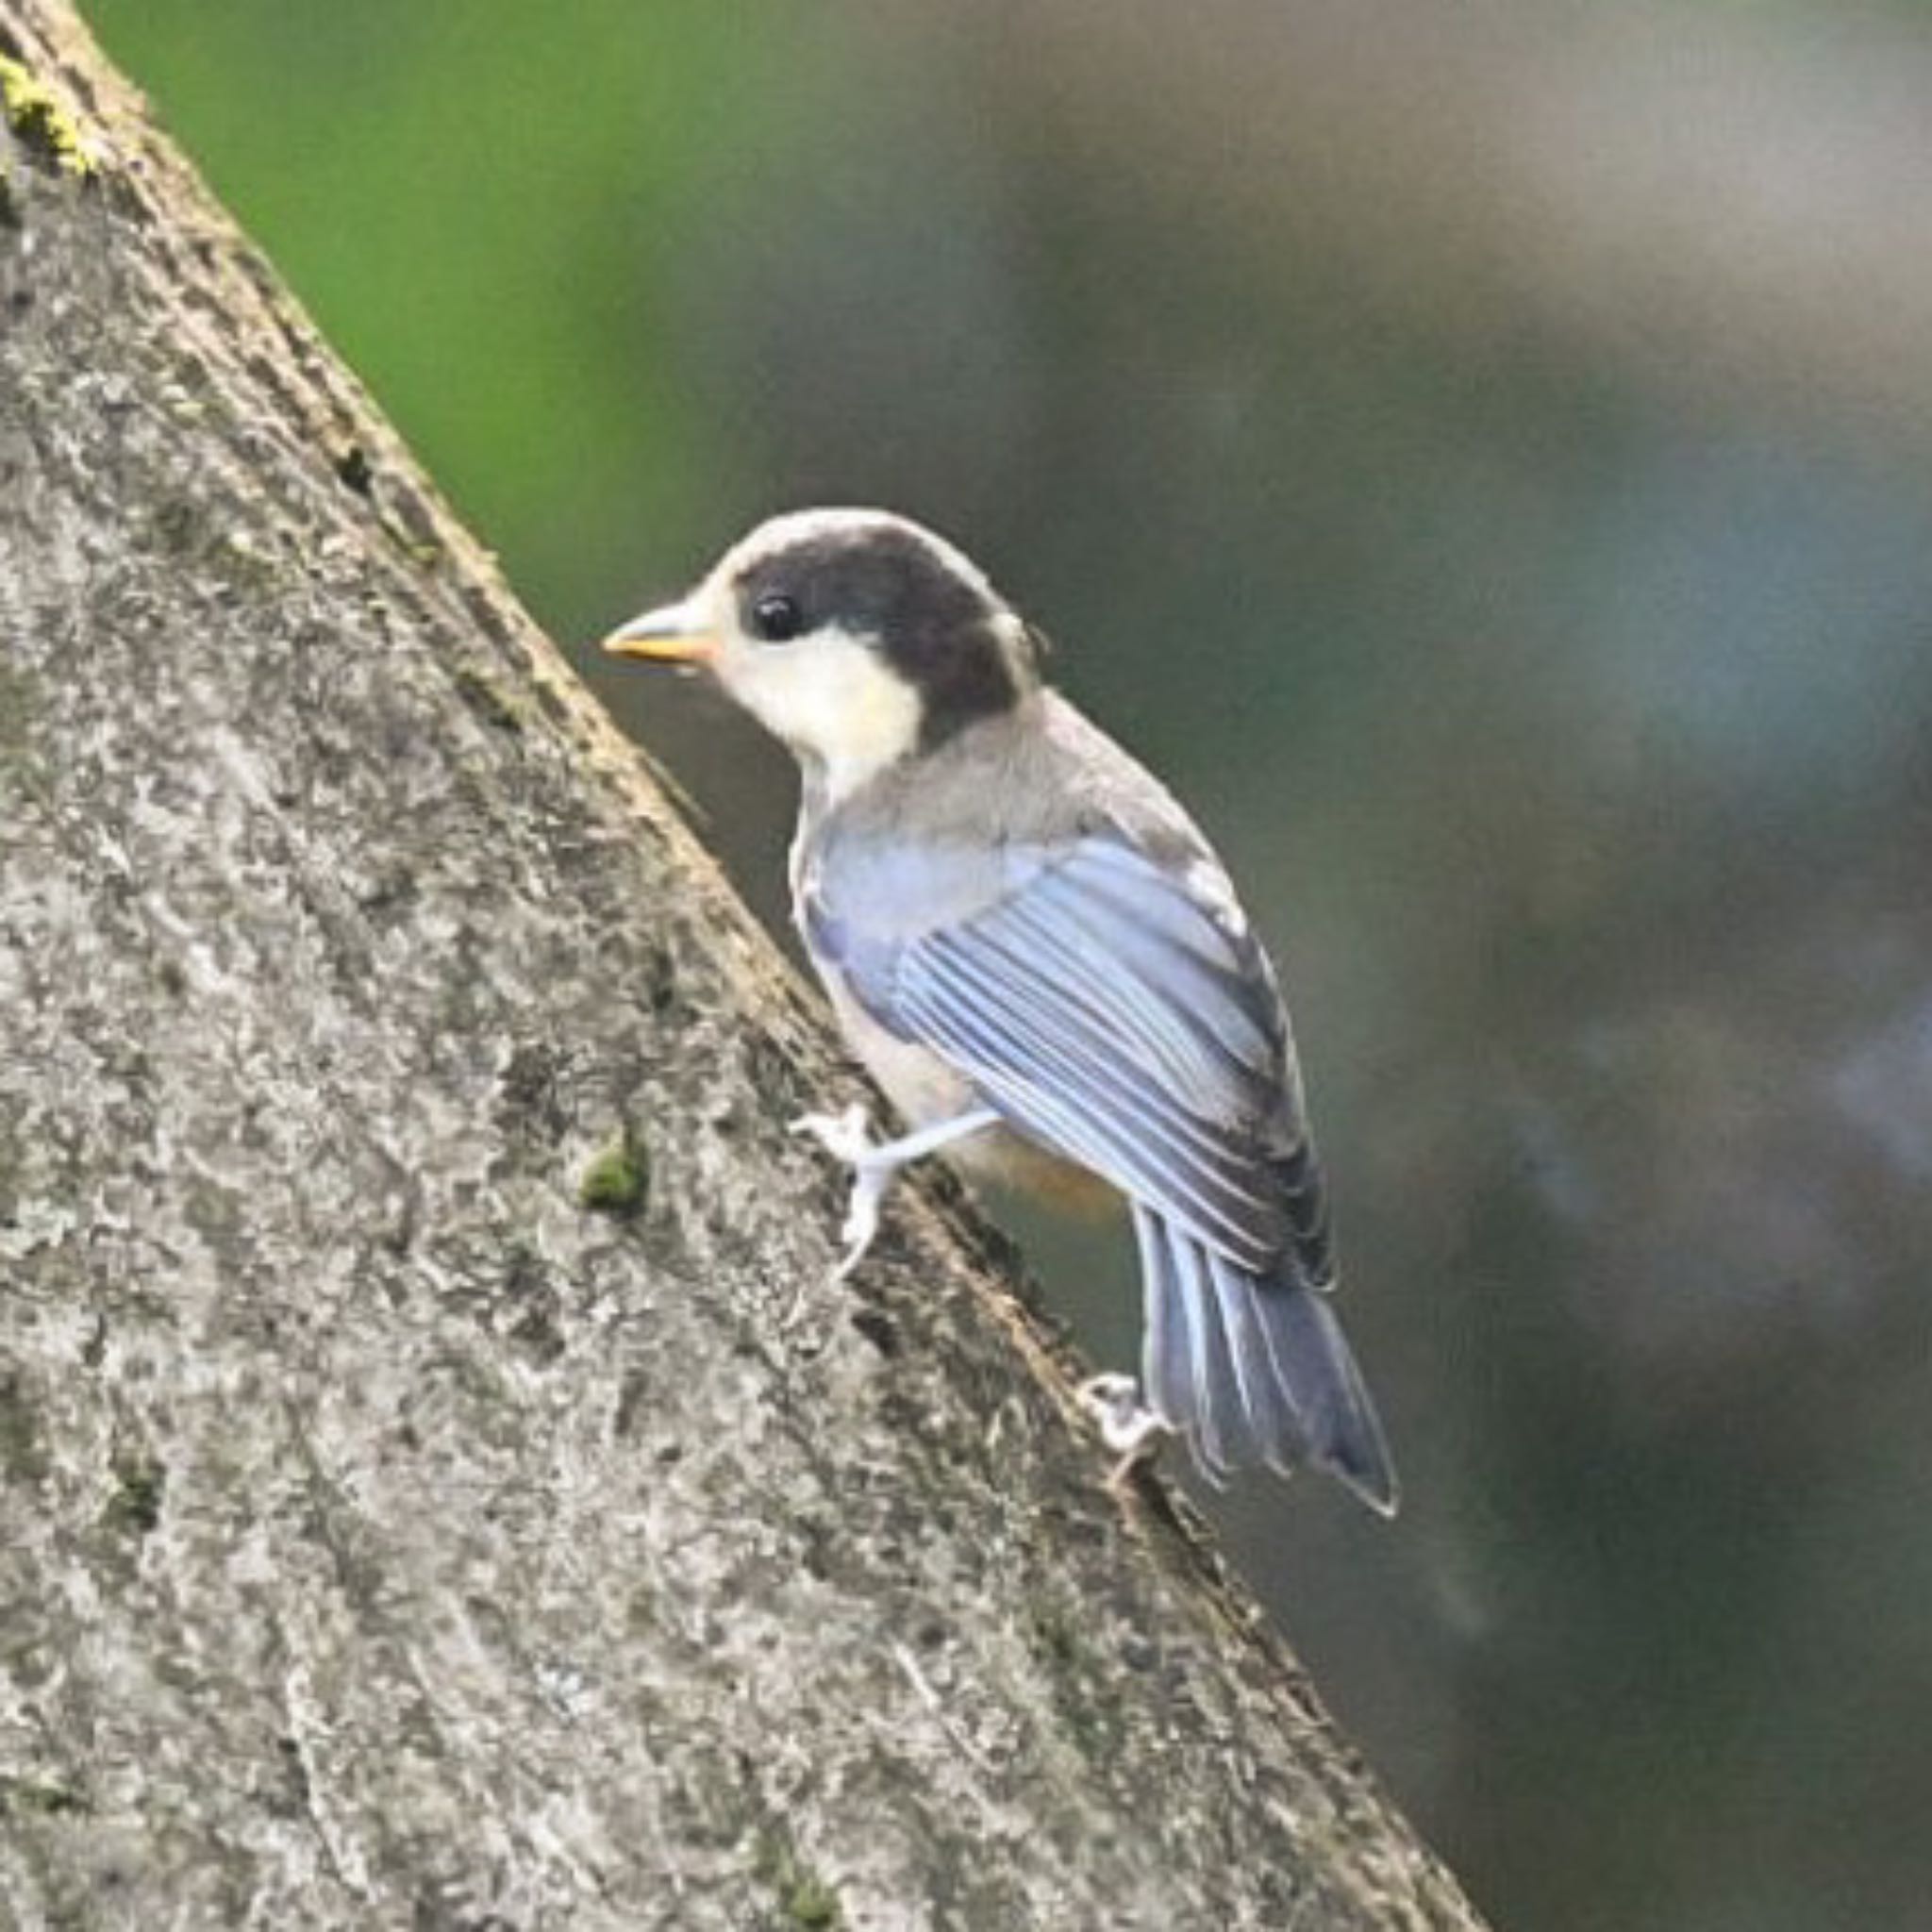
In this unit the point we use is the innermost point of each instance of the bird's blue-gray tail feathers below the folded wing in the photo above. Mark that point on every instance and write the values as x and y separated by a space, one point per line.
1255 1369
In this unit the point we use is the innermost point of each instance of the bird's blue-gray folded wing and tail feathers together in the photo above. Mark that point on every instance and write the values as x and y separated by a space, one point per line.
1118 1011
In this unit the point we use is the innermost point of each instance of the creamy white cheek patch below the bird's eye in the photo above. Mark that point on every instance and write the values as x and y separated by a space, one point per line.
830 698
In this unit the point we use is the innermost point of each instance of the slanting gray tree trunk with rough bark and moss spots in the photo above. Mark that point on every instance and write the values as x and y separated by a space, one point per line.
387 1535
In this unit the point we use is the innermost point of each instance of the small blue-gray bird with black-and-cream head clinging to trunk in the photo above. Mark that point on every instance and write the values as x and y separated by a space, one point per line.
1044 965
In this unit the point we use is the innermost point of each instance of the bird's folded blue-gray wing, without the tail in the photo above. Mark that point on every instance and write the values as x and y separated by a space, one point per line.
1120 1011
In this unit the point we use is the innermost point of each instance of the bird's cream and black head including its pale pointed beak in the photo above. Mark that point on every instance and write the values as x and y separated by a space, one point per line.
855 637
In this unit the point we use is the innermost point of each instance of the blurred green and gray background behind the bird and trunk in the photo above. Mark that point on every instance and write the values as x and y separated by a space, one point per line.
1483 457
